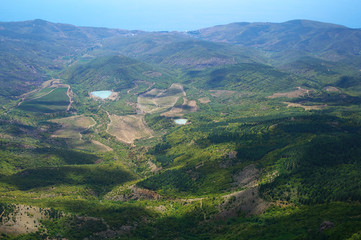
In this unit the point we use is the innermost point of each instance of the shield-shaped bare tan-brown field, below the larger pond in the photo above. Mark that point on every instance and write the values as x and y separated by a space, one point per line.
128 128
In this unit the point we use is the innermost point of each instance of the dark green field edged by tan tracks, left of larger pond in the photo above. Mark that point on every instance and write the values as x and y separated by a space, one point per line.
47 101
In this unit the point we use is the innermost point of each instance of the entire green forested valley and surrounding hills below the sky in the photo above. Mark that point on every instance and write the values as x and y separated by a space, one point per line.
182 135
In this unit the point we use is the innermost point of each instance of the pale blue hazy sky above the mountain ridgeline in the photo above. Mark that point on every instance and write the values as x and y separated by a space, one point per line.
157 15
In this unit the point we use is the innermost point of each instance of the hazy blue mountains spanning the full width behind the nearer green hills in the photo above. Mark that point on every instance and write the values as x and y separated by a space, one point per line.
31 50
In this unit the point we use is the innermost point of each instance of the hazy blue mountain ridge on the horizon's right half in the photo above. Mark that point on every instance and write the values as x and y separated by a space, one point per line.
323 39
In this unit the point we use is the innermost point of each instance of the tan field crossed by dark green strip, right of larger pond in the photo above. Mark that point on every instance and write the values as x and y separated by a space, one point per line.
157 100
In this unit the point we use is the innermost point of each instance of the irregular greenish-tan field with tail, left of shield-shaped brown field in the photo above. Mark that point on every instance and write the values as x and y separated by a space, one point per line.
71 129
